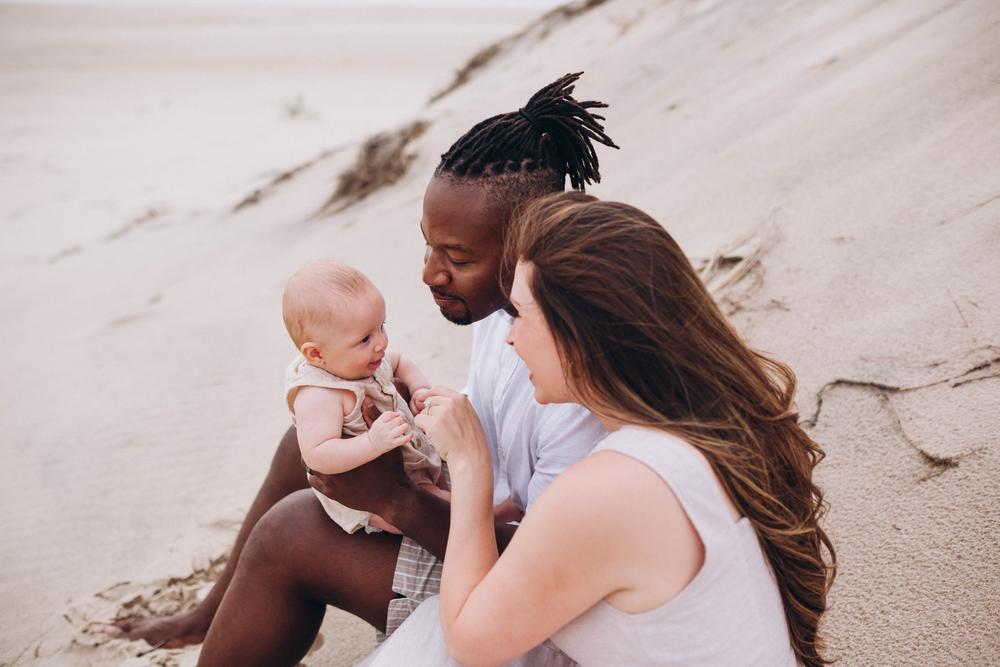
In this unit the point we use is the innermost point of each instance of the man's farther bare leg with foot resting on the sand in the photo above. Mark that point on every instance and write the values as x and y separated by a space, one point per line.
285 476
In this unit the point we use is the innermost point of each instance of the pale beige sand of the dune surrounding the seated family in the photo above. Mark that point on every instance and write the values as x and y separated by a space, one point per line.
854 144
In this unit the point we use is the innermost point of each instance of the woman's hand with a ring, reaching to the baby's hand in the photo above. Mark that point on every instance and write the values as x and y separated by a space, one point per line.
452 425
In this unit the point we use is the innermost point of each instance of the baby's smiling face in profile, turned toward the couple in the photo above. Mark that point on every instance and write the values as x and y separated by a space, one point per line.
353 343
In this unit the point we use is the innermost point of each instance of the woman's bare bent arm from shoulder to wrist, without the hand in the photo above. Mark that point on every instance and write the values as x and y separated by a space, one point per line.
607 528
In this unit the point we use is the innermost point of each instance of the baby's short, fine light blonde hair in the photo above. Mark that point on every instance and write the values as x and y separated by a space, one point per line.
311 294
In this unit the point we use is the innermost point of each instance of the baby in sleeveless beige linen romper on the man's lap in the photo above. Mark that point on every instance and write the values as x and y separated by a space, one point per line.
336 318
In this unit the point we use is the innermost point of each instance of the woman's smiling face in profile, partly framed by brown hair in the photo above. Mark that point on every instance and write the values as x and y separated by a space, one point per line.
533 341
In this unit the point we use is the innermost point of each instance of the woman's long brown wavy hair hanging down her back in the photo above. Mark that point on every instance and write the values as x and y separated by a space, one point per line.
642 342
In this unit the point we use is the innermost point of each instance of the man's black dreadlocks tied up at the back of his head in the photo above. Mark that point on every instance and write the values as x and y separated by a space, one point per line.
551 136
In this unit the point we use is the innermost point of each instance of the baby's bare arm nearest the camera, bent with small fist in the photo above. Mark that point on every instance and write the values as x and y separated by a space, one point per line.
319 422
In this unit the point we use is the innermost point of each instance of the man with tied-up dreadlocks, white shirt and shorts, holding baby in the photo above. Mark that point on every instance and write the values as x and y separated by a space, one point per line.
290 560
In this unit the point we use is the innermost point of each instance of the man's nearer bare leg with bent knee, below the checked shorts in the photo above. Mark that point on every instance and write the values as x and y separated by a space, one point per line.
296 562
